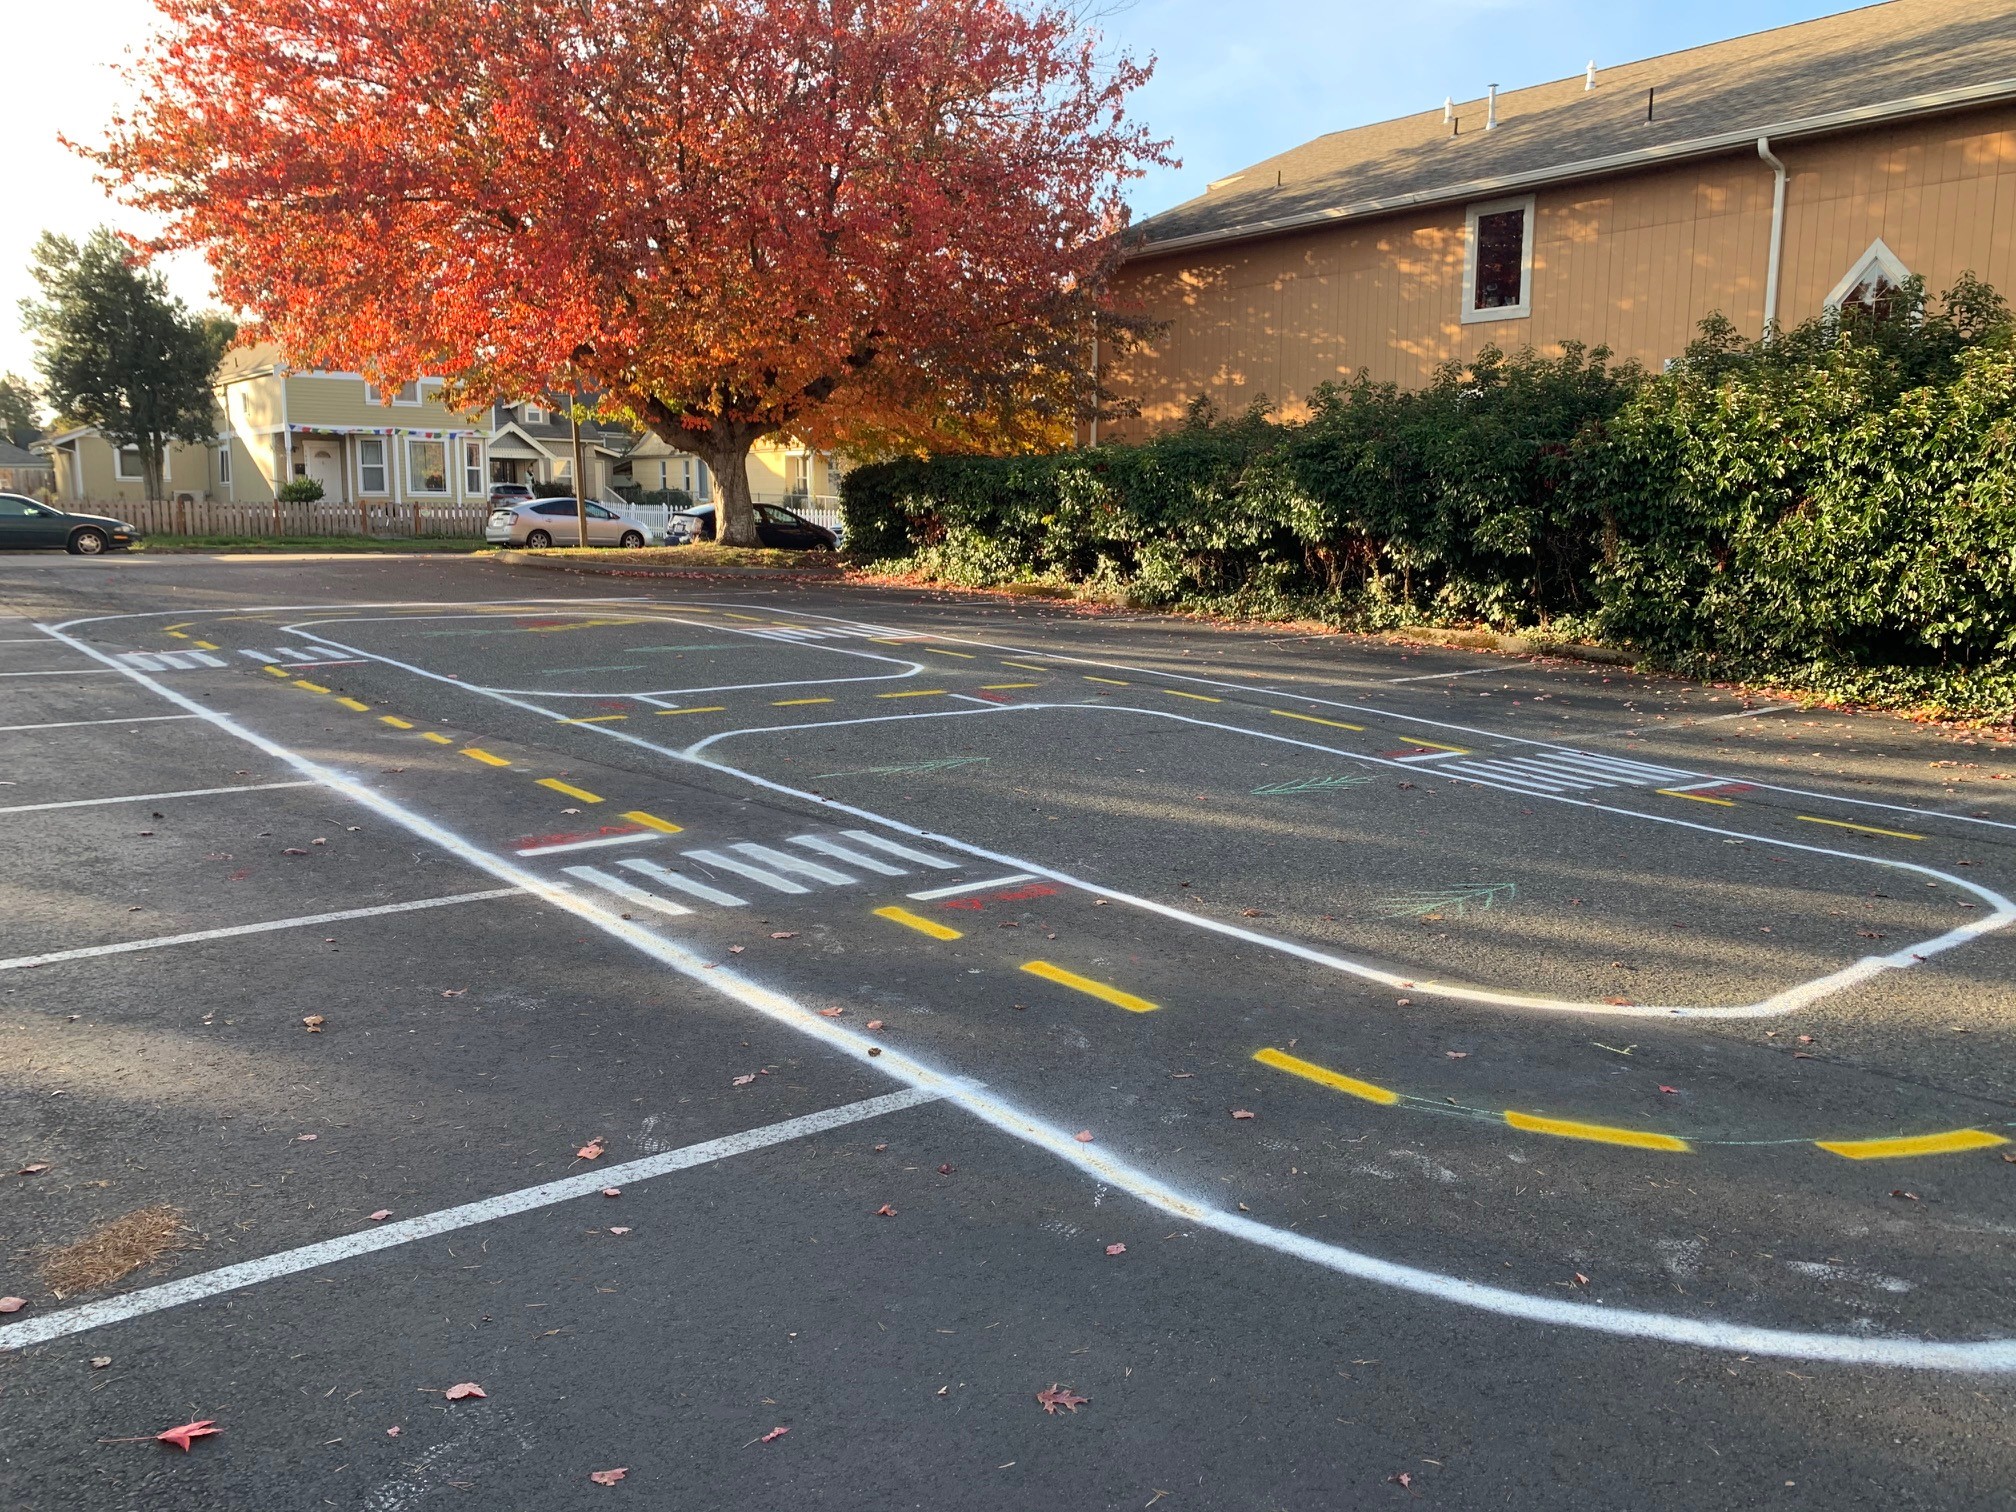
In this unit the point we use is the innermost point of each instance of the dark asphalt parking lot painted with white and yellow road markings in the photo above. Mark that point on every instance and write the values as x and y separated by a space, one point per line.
765 1037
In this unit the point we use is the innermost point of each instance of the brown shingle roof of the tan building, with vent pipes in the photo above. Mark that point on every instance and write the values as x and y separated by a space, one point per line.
1705 100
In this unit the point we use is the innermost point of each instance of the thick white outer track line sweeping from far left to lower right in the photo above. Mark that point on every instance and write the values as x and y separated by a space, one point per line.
1979 1356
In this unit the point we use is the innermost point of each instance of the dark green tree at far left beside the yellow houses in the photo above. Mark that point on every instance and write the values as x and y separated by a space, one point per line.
120 352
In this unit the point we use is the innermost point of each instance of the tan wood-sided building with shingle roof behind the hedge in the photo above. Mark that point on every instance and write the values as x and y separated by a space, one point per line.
1765 178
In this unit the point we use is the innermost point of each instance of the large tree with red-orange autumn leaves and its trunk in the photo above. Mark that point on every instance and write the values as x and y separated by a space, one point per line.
866 223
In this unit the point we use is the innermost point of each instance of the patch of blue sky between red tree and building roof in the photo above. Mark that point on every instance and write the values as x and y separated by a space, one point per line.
1239 82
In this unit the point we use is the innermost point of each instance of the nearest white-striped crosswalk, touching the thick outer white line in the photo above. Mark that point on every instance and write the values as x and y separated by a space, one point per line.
709 874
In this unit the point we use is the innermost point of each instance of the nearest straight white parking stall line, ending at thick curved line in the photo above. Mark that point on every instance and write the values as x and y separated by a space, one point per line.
406 1231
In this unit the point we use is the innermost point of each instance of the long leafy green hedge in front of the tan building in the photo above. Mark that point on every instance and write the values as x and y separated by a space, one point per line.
1832 509
